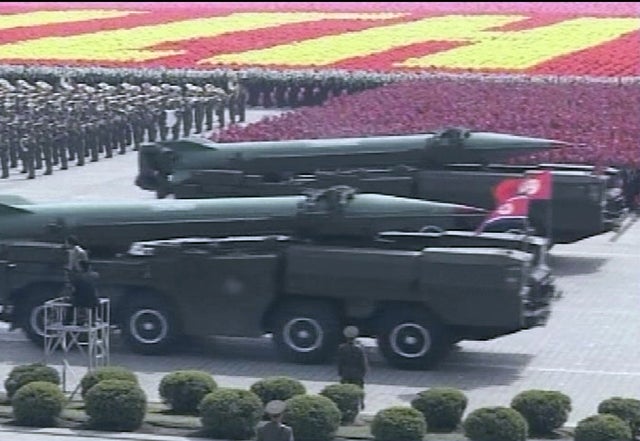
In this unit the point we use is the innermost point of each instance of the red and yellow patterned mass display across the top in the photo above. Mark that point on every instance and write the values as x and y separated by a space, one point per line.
562 39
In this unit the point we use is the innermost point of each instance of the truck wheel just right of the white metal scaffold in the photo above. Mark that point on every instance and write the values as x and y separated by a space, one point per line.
148 325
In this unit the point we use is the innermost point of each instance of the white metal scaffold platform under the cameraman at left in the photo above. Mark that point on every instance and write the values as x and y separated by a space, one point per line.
67 327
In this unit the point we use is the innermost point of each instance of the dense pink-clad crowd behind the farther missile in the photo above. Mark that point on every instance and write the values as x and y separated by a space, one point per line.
599 119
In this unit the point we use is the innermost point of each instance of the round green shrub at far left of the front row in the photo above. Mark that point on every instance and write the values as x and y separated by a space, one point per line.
38 403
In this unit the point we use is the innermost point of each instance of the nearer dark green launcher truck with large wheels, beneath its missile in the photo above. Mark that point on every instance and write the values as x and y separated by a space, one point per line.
403 288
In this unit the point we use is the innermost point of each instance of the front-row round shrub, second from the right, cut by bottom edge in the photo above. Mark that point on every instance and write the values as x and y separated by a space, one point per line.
495 424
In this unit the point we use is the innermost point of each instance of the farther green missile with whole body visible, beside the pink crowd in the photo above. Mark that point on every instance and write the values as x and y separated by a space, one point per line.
179 158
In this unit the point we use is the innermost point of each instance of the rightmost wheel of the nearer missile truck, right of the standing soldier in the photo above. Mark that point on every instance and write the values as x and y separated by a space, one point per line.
412 339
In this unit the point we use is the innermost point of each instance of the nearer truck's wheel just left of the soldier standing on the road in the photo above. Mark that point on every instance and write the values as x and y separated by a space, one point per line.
306 332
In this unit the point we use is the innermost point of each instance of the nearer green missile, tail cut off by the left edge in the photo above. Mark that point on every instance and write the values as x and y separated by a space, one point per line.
337 213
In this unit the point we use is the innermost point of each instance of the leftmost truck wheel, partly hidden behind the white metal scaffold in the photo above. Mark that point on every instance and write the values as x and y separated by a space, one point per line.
30 312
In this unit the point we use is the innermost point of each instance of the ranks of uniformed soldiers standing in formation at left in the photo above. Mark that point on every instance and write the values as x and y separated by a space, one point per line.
43 126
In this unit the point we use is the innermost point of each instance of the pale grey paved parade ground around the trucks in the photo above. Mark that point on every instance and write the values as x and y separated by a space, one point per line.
589 349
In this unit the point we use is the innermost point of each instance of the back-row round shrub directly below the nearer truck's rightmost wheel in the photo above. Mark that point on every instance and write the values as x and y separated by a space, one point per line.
442 408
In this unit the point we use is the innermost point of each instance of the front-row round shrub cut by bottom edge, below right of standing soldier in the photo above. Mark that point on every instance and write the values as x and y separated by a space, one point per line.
398 424
